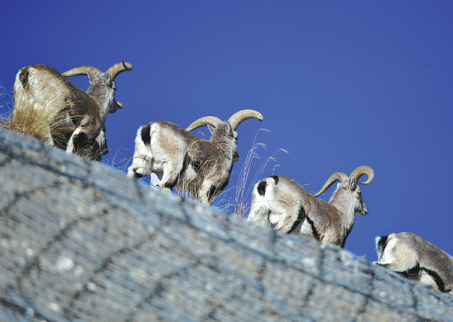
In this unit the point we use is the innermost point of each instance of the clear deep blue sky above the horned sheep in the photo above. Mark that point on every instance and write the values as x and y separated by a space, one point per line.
340 84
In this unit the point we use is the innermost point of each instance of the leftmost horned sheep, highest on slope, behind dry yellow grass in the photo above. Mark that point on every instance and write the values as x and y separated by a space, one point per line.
88 110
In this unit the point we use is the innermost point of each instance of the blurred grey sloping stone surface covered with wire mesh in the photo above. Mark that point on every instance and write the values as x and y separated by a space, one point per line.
80 241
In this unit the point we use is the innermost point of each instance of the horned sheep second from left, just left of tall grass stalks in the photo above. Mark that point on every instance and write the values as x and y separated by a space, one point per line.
185 162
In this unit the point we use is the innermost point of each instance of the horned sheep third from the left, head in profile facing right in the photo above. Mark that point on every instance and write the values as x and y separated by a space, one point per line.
283 204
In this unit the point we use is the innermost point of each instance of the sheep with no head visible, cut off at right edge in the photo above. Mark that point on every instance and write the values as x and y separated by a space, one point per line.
417 259
